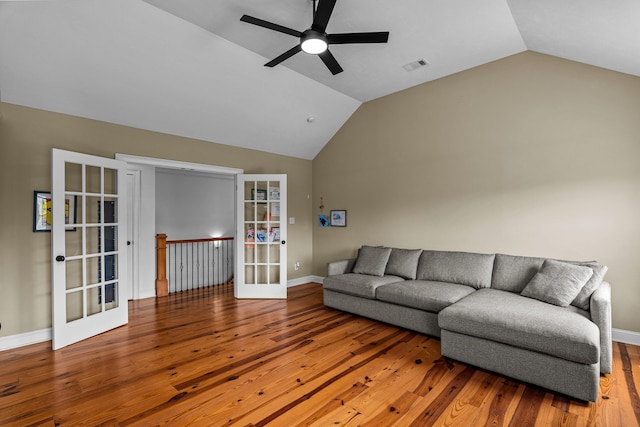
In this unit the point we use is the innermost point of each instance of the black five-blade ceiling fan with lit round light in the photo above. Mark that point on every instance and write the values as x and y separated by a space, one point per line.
315 39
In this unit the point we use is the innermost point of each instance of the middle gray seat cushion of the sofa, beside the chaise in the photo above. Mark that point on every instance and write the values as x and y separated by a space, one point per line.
423 294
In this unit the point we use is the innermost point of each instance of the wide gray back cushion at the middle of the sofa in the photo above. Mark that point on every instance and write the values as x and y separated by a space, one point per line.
464 268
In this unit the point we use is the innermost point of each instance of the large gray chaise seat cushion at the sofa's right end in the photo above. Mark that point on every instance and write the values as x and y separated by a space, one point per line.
564 332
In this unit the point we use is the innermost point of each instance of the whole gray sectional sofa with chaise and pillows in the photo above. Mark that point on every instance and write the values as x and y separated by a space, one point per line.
542 321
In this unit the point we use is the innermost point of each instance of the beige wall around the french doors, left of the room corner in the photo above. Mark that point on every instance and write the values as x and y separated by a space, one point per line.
26 139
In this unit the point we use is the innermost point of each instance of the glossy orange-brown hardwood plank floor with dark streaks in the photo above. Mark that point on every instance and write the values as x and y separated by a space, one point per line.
203 358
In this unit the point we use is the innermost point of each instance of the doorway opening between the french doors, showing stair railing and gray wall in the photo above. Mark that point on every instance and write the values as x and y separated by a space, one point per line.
195 222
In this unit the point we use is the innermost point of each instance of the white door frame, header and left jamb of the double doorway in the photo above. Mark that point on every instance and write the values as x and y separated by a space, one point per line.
146 245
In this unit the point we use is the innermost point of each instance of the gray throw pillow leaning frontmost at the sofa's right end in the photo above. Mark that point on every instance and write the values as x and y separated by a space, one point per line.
557 282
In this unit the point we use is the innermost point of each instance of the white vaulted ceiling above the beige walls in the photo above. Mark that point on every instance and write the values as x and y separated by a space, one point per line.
191 68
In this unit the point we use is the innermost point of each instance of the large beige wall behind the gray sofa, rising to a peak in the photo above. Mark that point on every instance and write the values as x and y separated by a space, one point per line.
530 155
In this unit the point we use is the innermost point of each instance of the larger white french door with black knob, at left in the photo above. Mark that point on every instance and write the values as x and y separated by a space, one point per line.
89 246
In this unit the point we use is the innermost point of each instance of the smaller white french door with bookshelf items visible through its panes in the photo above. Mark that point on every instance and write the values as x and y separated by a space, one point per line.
261 250
